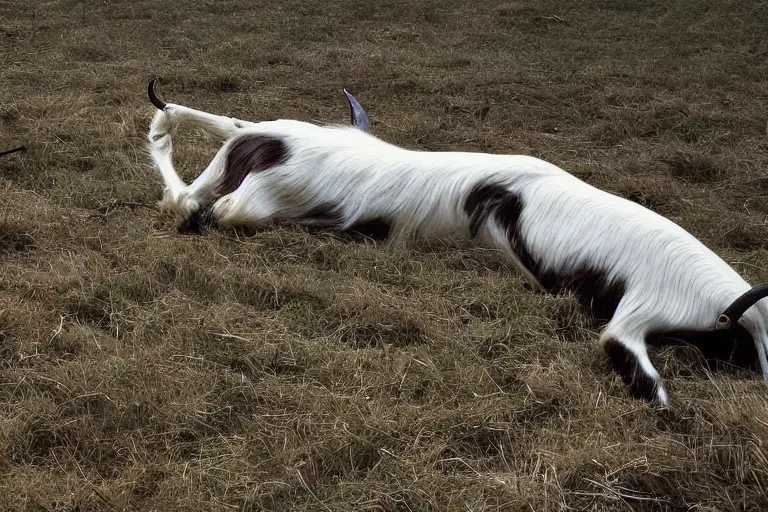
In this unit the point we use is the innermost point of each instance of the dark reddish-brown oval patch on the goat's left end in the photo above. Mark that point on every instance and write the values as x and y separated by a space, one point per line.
250 153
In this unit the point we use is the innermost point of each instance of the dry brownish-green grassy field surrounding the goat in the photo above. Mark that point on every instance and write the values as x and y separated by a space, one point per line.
144 370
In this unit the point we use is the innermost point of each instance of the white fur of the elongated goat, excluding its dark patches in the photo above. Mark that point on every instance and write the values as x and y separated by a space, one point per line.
673 281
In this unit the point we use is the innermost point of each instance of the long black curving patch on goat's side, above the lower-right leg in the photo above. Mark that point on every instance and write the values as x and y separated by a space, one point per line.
598 296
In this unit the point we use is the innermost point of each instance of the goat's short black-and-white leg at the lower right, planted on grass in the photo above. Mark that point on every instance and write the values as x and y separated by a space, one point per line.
628 354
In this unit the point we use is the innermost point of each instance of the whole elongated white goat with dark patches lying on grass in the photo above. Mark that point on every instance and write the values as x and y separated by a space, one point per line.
643 274
